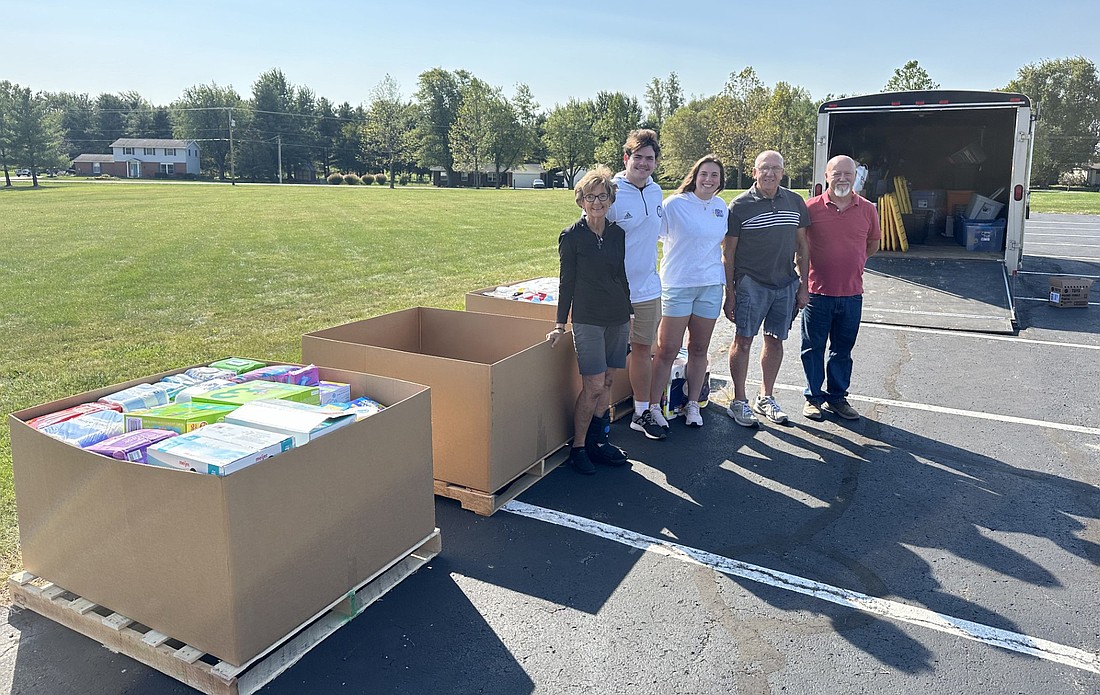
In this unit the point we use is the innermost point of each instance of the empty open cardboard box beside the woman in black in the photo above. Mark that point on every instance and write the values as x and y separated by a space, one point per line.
502 399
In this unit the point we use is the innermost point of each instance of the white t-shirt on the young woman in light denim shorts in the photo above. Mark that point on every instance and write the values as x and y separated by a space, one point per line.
692 231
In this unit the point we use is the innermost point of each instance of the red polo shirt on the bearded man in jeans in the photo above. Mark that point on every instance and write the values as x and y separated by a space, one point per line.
839 245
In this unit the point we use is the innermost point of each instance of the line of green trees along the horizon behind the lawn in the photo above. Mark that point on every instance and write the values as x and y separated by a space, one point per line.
460 124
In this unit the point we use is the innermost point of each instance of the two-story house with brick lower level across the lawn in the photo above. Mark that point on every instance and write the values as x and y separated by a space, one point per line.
142 158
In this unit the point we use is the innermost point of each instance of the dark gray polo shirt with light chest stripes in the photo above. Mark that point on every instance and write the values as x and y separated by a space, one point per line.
766 230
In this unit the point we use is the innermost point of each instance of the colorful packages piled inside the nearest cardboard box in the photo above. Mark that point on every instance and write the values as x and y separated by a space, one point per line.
214 420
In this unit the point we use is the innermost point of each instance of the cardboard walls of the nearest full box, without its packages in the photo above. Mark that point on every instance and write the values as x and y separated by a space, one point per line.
229 566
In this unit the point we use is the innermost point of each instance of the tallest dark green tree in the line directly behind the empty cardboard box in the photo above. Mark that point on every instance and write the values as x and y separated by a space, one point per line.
438 97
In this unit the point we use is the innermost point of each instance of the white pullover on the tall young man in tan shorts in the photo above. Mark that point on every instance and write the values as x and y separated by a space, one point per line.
639 212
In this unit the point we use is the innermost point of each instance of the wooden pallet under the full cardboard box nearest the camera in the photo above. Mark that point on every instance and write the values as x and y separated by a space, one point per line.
193 667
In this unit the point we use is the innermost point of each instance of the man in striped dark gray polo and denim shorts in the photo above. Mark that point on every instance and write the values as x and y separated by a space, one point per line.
765 255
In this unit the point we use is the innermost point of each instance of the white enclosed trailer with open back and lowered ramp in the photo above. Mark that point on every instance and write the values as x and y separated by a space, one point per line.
951 145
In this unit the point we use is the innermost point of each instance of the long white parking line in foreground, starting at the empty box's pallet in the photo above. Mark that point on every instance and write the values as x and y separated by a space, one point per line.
892 610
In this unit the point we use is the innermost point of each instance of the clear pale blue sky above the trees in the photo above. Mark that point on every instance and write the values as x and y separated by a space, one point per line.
342 50
